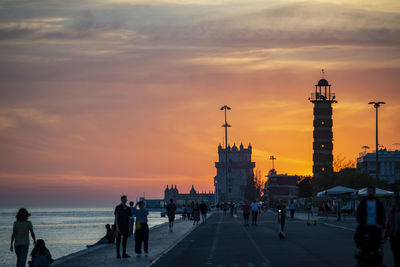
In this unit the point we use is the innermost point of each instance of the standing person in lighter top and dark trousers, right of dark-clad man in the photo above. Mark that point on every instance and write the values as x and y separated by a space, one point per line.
141 230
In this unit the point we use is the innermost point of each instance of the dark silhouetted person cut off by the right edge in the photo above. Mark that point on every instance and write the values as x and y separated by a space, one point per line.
393 229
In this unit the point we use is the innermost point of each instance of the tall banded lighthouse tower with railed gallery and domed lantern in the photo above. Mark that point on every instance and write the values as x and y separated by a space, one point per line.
322 99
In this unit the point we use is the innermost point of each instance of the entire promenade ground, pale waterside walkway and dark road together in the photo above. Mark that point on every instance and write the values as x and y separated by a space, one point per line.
224 241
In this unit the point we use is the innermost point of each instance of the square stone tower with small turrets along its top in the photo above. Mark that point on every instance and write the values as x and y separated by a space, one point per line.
234 168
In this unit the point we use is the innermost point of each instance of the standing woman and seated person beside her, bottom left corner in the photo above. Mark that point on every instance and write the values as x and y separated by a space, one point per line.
40 255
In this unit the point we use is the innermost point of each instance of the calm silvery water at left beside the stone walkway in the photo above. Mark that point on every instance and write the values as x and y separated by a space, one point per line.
65 230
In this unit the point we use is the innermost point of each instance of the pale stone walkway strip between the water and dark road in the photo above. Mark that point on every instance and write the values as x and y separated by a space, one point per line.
160 241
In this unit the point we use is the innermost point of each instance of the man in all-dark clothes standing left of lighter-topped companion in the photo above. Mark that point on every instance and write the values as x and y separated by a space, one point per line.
122 216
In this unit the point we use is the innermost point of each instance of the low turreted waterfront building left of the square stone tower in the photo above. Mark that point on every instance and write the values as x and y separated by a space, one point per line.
187 199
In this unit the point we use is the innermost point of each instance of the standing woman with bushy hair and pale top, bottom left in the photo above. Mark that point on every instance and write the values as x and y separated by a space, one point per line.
20 236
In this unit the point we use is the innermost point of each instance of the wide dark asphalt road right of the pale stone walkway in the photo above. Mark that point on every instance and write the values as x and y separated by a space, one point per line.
224 241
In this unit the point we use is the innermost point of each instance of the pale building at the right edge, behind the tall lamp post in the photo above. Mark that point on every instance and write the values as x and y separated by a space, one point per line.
389 164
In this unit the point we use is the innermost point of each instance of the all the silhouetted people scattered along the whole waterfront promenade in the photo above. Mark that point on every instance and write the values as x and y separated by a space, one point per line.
131 221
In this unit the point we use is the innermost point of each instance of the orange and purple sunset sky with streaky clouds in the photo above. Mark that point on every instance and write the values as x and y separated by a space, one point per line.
100 98
